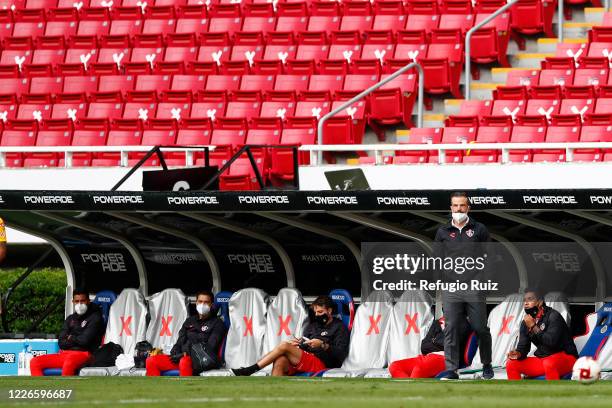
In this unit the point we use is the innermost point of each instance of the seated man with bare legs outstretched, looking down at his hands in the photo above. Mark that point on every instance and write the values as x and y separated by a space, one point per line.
324 345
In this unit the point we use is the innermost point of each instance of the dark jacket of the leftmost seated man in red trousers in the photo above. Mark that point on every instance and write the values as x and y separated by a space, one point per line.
83 333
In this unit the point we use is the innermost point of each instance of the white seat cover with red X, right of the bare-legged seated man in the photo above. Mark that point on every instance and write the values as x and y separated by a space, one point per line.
370 334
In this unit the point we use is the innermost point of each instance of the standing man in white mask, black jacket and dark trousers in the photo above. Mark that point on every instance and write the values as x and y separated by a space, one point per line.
462 238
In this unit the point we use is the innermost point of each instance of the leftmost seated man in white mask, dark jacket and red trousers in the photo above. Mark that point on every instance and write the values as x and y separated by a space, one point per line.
81 335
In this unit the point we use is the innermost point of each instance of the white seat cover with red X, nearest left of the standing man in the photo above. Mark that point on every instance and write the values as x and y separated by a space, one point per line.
411 320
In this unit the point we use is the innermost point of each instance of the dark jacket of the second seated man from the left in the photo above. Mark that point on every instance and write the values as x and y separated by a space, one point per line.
209 331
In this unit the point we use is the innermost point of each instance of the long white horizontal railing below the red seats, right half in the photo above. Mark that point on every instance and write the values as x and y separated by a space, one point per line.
441 149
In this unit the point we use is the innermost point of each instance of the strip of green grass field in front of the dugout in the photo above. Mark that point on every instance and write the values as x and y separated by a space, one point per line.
305 392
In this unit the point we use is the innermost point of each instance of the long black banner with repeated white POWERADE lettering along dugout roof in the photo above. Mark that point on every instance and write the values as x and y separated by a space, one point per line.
301 201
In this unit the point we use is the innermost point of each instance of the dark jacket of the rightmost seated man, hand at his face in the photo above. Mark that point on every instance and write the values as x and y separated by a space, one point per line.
554 336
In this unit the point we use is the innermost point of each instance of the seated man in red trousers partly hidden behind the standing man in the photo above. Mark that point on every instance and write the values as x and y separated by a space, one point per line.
431 362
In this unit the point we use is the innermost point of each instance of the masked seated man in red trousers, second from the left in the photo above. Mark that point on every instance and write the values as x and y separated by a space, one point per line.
204 327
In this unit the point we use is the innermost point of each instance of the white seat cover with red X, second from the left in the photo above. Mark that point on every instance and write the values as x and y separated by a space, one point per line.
168 312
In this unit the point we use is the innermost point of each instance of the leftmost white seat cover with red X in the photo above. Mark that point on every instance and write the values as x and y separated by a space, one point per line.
127 320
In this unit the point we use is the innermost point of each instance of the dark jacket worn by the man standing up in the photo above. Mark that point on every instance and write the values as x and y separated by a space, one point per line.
467 242
